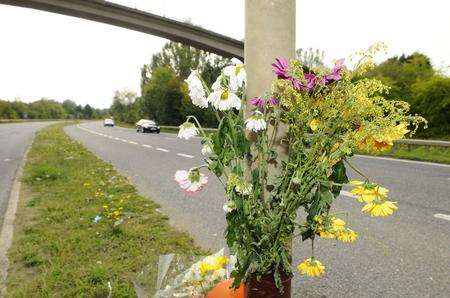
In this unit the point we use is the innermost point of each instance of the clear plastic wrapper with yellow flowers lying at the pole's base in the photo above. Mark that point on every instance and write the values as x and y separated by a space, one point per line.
184 276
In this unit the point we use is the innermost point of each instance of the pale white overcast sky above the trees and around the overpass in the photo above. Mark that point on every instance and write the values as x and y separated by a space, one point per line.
54 56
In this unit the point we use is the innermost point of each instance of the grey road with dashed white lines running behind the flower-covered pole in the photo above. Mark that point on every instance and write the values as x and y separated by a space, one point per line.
405 255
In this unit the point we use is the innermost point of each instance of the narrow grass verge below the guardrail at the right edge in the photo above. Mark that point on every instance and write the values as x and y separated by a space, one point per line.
417 152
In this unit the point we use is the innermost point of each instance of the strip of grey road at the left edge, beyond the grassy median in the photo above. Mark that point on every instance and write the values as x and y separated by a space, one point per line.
14 140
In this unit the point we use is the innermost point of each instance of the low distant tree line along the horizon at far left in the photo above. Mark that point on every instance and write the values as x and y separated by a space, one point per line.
48 109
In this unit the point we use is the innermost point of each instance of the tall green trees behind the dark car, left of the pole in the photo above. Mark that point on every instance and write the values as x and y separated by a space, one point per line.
163 90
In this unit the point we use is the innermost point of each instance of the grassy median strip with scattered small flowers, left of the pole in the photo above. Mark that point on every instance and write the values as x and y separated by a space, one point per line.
58 251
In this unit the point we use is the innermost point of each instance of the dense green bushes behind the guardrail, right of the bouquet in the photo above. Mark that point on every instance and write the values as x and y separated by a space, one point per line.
413 79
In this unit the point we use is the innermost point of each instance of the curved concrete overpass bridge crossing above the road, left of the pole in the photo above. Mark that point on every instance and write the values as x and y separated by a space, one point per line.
138 20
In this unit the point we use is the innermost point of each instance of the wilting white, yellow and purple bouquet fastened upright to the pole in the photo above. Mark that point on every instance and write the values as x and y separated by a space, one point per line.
289 151
